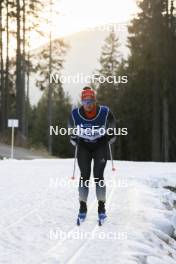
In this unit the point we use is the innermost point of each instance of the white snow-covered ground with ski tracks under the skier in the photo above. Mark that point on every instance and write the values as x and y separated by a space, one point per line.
39 206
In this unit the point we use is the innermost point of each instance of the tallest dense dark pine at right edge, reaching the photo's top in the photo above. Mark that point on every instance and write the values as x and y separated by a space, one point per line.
149 75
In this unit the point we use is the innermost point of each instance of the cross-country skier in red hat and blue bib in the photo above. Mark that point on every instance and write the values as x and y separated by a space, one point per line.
92 145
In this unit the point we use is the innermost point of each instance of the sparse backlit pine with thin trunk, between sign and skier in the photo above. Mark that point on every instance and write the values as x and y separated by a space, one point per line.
53 97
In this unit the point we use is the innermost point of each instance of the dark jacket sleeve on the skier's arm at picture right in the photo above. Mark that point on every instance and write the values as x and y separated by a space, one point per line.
111 124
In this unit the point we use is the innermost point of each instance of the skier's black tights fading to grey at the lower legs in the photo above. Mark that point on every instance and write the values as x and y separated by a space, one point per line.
97 152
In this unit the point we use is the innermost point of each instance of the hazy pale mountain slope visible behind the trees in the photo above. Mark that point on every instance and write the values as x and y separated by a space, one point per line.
82 57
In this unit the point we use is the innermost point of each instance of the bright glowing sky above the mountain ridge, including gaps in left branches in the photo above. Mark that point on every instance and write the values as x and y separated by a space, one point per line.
70 16
